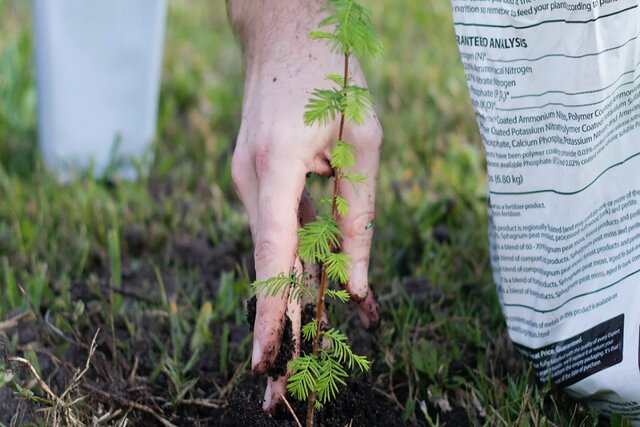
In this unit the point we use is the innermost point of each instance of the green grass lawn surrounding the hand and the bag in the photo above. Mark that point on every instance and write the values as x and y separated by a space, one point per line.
442 348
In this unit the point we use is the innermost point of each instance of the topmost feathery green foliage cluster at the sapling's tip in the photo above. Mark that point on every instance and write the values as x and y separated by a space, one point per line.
352 30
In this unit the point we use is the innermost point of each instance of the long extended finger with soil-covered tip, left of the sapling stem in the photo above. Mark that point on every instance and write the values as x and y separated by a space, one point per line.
279 191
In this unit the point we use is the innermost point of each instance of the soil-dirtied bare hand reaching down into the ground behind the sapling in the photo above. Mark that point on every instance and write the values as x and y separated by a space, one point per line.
274 153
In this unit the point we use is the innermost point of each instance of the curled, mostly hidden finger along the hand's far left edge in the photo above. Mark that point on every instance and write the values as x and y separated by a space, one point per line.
244 178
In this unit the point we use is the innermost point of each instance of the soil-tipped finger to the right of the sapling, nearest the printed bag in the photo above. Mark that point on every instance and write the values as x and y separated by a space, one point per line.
357 226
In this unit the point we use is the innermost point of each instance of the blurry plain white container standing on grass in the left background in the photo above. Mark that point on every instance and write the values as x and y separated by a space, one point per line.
98 68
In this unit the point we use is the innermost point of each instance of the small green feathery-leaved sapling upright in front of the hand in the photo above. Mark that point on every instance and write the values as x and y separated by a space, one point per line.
317 377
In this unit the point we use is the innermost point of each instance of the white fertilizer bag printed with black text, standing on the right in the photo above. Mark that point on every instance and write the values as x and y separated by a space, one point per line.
556 89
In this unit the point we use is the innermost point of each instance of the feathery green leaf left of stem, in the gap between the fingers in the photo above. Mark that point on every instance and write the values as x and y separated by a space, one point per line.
317 238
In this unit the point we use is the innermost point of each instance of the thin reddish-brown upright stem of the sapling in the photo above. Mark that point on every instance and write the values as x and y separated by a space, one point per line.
323 281
